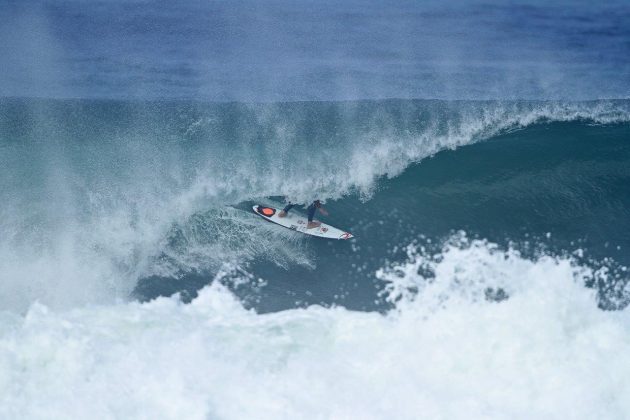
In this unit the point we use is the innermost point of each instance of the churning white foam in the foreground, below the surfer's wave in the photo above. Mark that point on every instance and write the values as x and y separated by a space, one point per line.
547 352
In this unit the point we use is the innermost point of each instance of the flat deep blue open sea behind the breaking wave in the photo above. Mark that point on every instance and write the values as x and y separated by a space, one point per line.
315 50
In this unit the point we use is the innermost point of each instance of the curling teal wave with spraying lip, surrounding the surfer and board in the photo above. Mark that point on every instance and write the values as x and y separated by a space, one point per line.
160 193
